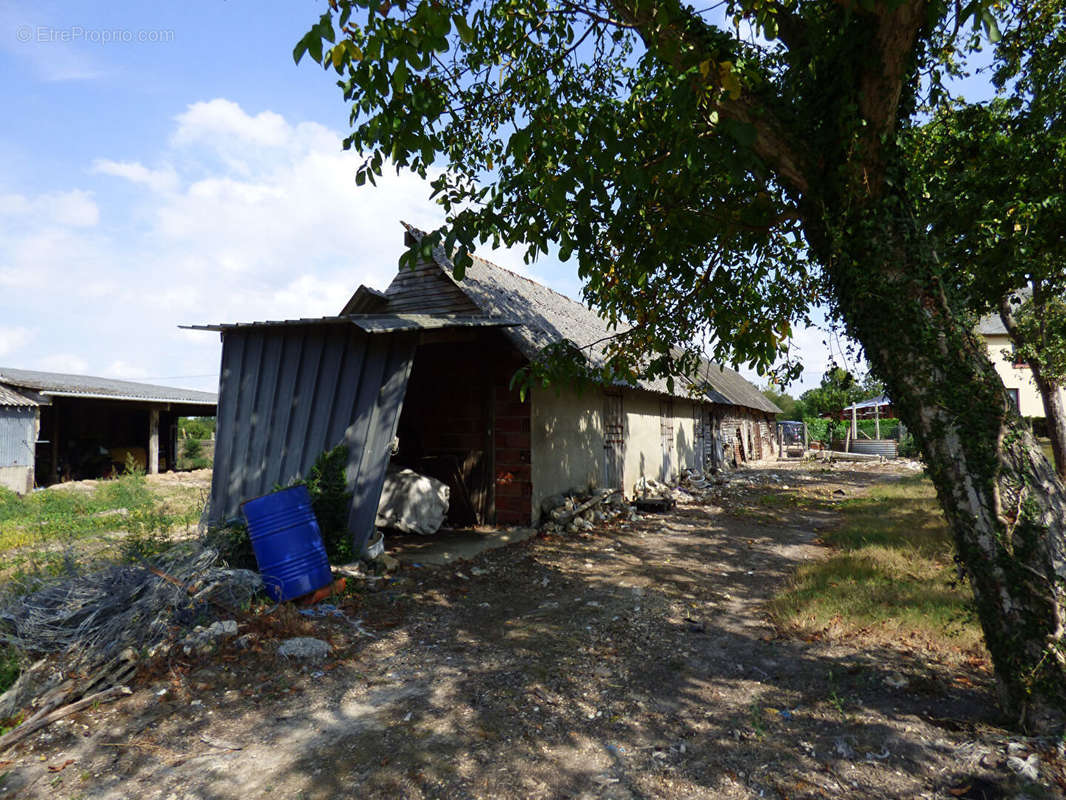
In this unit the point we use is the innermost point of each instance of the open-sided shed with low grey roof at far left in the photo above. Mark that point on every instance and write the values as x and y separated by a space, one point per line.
60 427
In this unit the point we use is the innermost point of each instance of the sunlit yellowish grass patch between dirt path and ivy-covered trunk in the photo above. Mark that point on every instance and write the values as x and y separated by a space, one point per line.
892 579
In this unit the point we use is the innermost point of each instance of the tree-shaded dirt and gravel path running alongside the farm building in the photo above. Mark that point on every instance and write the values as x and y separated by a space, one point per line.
633 663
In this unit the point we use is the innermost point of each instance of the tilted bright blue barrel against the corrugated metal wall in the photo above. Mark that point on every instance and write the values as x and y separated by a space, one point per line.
288 543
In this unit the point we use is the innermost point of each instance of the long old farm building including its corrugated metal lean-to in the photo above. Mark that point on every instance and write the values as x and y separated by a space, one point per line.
421 376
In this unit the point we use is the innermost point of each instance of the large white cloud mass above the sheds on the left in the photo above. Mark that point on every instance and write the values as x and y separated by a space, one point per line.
239 217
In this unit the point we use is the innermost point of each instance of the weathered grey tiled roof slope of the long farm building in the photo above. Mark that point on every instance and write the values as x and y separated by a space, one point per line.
547 317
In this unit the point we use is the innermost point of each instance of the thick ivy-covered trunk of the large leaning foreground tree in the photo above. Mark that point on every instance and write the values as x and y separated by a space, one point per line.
1002 499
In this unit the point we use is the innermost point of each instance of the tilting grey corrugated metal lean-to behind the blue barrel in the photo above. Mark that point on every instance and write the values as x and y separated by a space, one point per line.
292 390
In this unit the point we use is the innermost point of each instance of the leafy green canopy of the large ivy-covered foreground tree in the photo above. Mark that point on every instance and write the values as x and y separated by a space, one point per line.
617 148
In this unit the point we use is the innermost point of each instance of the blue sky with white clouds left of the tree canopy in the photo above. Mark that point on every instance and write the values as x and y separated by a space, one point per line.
167 164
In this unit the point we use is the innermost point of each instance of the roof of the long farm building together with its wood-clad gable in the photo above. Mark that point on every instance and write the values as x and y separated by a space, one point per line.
545 316
